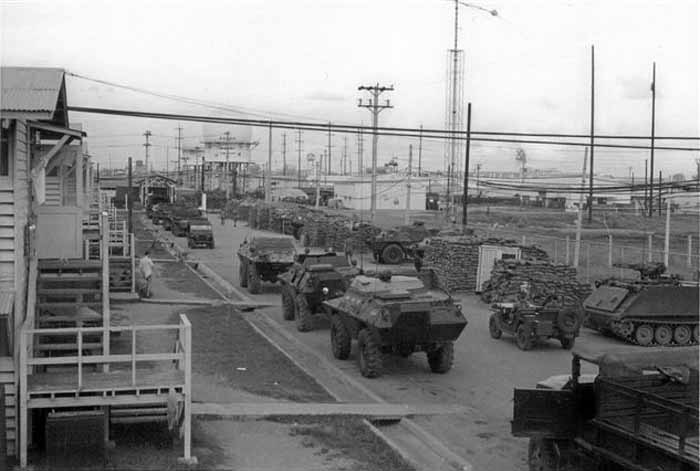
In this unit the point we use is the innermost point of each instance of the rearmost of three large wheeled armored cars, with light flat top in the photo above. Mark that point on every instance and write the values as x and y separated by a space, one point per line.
263 257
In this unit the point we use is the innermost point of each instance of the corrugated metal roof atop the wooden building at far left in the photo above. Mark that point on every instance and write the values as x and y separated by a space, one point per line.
30 88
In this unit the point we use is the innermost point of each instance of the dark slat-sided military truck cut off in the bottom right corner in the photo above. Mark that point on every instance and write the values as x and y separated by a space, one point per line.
638 412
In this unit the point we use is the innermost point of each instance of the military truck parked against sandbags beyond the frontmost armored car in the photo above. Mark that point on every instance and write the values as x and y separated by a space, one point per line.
395 245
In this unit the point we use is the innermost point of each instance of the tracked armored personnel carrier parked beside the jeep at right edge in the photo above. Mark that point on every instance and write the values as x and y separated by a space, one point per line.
655 310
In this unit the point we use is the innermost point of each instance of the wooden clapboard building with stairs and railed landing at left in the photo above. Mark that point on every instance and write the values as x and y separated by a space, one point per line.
53 285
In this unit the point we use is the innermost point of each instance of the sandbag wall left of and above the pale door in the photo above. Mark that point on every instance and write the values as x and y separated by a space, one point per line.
455 260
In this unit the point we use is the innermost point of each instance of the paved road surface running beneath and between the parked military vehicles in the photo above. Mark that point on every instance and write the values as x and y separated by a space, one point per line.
482 380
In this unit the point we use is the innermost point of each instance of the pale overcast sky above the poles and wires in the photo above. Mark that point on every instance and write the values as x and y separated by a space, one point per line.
526 70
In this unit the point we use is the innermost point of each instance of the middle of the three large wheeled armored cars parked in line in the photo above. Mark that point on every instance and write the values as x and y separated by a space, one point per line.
315 277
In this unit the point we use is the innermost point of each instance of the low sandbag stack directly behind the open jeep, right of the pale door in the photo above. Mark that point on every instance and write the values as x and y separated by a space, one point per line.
545 279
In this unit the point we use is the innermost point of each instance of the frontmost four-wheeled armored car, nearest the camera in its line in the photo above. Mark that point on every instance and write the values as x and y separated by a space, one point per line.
394 314
